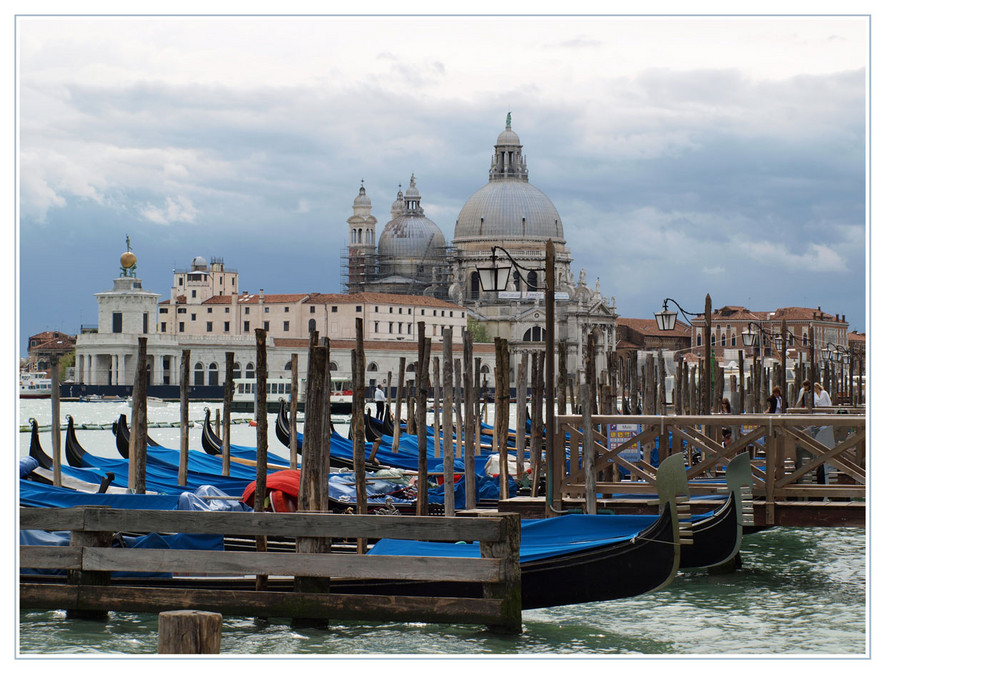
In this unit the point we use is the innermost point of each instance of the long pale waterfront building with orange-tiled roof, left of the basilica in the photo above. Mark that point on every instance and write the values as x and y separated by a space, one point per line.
207 315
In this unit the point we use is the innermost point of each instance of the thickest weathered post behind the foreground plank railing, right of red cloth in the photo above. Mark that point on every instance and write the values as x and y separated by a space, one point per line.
313 489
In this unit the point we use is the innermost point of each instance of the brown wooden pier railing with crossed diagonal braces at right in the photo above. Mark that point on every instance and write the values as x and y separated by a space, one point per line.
788 455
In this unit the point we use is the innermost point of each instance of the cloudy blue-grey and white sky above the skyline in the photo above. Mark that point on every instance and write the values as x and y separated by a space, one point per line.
685 155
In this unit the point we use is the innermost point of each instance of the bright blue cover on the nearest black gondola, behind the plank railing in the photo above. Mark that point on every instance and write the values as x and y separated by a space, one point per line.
540 539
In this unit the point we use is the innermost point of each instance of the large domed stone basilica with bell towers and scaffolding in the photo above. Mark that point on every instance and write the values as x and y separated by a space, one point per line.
507 219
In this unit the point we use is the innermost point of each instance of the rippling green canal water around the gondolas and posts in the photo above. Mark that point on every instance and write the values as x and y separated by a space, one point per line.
801 592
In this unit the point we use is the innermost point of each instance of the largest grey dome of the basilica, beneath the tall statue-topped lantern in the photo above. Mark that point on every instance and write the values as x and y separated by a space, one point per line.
508 210
